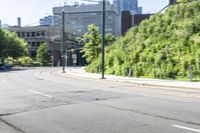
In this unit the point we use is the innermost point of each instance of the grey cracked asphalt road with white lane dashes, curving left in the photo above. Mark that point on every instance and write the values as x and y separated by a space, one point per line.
40 100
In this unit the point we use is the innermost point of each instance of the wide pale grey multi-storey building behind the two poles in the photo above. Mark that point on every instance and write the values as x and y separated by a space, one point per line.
78 17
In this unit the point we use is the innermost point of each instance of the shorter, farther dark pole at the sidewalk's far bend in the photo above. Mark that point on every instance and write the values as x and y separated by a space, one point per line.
63 39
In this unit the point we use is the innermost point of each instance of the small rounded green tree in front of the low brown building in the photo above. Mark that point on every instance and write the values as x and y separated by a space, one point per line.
43 55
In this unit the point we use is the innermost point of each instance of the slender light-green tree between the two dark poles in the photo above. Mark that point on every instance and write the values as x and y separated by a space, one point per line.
92 46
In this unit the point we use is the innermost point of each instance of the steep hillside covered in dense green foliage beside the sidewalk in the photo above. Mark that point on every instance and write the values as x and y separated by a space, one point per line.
164 47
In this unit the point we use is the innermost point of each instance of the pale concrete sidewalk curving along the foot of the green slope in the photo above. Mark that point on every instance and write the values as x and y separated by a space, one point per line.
80 72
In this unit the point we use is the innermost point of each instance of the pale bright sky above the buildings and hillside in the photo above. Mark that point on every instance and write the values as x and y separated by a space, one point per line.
31 11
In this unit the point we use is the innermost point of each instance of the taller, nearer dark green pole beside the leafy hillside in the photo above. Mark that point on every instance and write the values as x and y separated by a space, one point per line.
103 39
